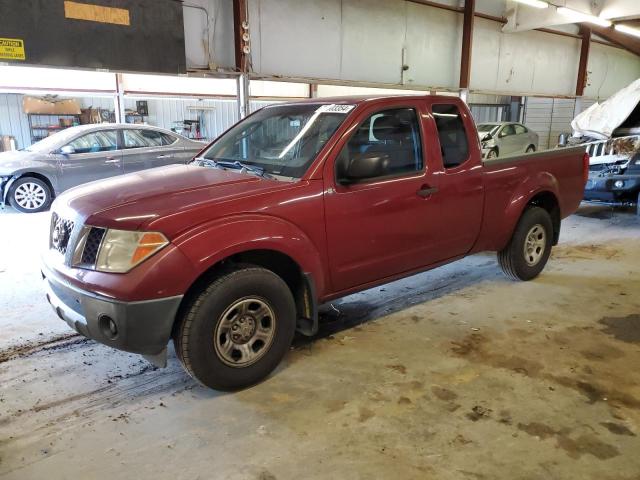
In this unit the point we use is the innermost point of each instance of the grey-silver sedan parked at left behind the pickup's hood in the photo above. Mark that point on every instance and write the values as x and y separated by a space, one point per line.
31 178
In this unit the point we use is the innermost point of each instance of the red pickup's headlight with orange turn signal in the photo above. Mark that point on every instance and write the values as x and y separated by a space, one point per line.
121 250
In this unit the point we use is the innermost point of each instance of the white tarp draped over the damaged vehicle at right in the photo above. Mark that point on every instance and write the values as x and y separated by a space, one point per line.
601 119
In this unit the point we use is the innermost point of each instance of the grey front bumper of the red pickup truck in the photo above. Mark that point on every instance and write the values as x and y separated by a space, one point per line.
142 327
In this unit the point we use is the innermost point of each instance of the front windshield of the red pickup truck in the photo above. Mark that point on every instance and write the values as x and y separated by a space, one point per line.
281 140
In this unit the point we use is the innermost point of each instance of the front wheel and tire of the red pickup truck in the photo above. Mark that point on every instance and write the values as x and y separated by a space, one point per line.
218 337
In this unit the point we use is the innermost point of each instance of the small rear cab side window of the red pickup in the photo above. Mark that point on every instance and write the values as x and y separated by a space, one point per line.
454 145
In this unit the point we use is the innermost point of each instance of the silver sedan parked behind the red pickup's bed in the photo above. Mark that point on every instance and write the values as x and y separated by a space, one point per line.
506 138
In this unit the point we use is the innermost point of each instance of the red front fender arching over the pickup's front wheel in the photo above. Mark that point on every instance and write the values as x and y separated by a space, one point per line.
208 244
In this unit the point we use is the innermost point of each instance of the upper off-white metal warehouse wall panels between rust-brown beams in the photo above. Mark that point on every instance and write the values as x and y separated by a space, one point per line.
370 40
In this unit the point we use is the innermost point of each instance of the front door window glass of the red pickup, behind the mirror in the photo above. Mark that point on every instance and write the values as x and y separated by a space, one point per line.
393 135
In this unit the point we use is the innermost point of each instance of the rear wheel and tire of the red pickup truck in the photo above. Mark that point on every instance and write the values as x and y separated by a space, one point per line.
534 230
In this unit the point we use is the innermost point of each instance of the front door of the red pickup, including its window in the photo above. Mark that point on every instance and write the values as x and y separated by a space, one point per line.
388 223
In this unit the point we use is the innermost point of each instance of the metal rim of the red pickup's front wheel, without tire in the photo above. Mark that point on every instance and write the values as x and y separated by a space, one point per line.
244 332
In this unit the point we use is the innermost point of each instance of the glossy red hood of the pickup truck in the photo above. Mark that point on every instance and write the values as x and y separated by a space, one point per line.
131 201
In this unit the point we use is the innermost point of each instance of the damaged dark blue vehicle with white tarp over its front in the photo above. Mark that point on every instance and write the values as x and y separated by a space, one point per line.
611 133
